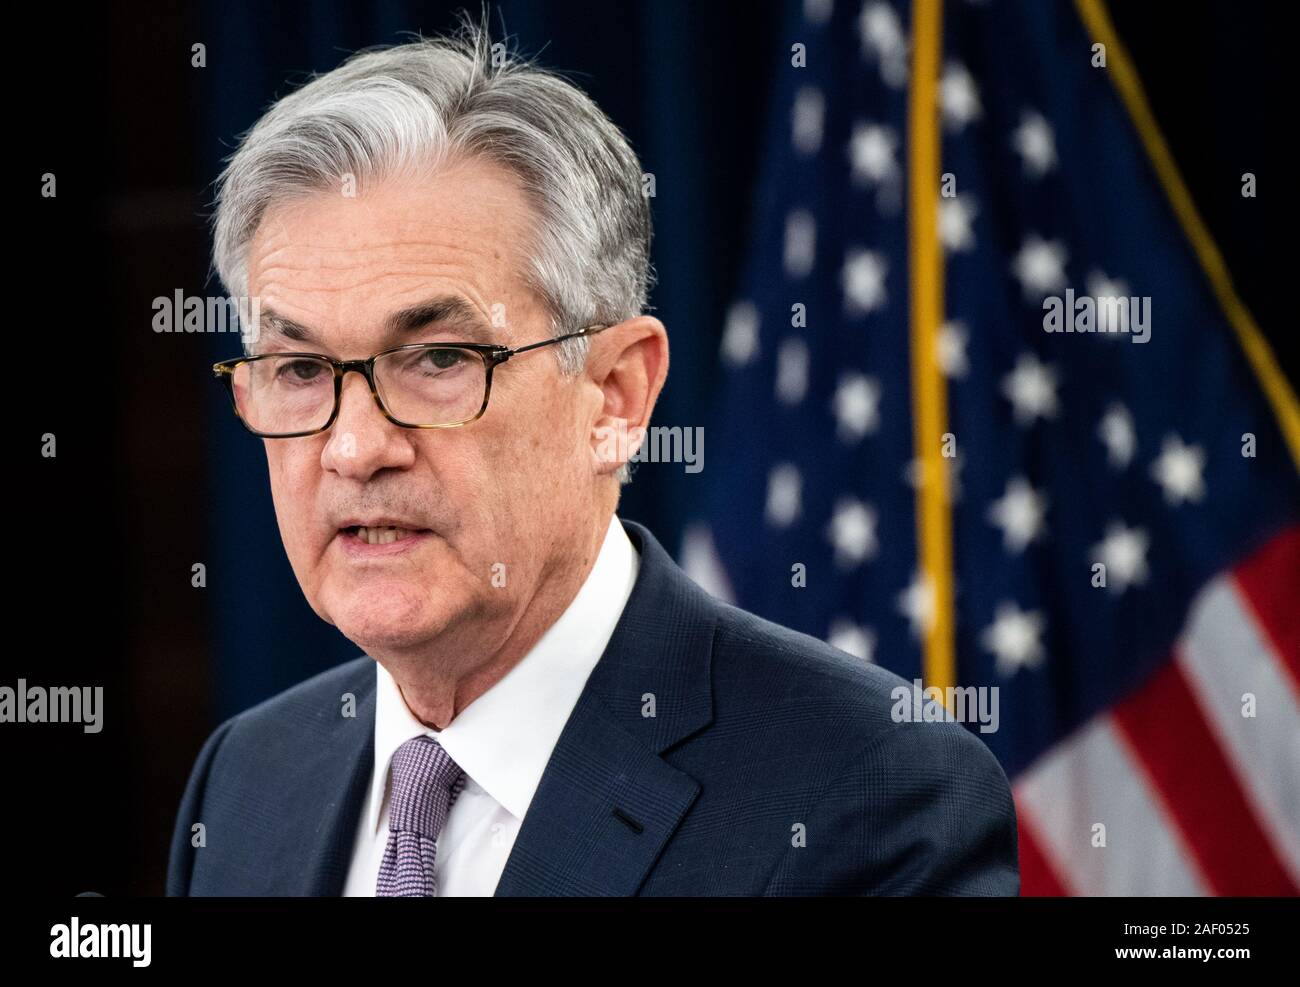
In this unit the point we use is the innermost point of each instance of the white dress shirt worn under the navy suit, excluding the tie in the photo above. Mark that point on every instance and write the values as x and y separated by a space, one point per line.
502 741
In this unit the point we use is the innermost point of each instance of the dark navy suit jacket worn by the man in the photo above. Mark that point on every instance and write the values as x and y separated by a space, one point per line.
772 767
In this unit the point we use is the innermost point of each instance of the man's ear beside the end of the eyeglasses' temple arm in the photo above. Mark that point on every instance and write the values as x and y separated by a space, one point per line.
629 363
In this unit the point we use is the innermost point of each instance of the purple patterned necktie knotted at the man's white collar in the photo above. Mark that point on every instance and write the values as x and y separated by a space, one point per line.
426 783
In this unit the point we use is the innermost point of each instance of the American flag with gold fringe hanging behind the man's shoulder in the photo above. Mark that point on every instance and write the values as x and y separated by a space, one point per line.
1104 529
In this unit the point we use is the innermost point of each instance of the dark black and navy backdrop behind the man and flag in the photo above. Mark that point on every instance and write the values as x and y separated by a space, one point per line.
154 474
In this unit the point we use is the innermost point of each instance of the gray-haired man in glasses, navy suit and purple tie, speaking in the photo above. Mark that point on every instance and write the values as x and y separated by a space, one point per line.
547 704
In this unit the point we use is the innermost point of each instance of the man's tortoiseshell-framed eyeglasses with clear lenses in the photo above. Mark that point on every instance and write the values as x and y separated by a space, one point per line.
418 386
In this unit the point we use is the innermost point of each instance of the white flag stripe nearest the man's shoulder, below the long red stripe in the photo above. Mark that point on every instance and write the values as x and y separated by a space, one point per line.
1090 780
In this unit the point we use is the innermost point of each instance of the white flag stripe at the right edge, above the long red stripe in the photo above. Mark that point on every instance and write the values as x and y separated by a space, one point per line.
1225 657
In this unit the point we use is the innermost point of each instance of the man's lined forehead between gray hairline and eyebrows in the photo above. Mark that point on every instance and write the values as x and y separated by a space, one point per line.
343 265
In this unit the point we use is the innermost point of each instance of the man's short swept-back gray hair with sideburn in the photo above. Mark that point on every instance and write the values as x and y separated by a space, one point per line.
408 110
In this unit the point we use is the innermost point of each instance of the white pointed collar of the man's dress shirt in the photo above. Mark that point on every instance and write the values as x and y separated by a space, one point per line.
505 738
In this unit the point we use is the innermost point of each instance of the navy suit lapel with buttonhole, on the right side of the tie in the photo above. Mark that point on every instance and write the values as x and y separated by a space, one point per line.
608 802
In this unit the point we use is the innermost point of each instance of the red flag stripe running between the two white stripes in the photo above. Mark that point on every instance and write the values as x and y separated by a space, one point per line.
1164 728
